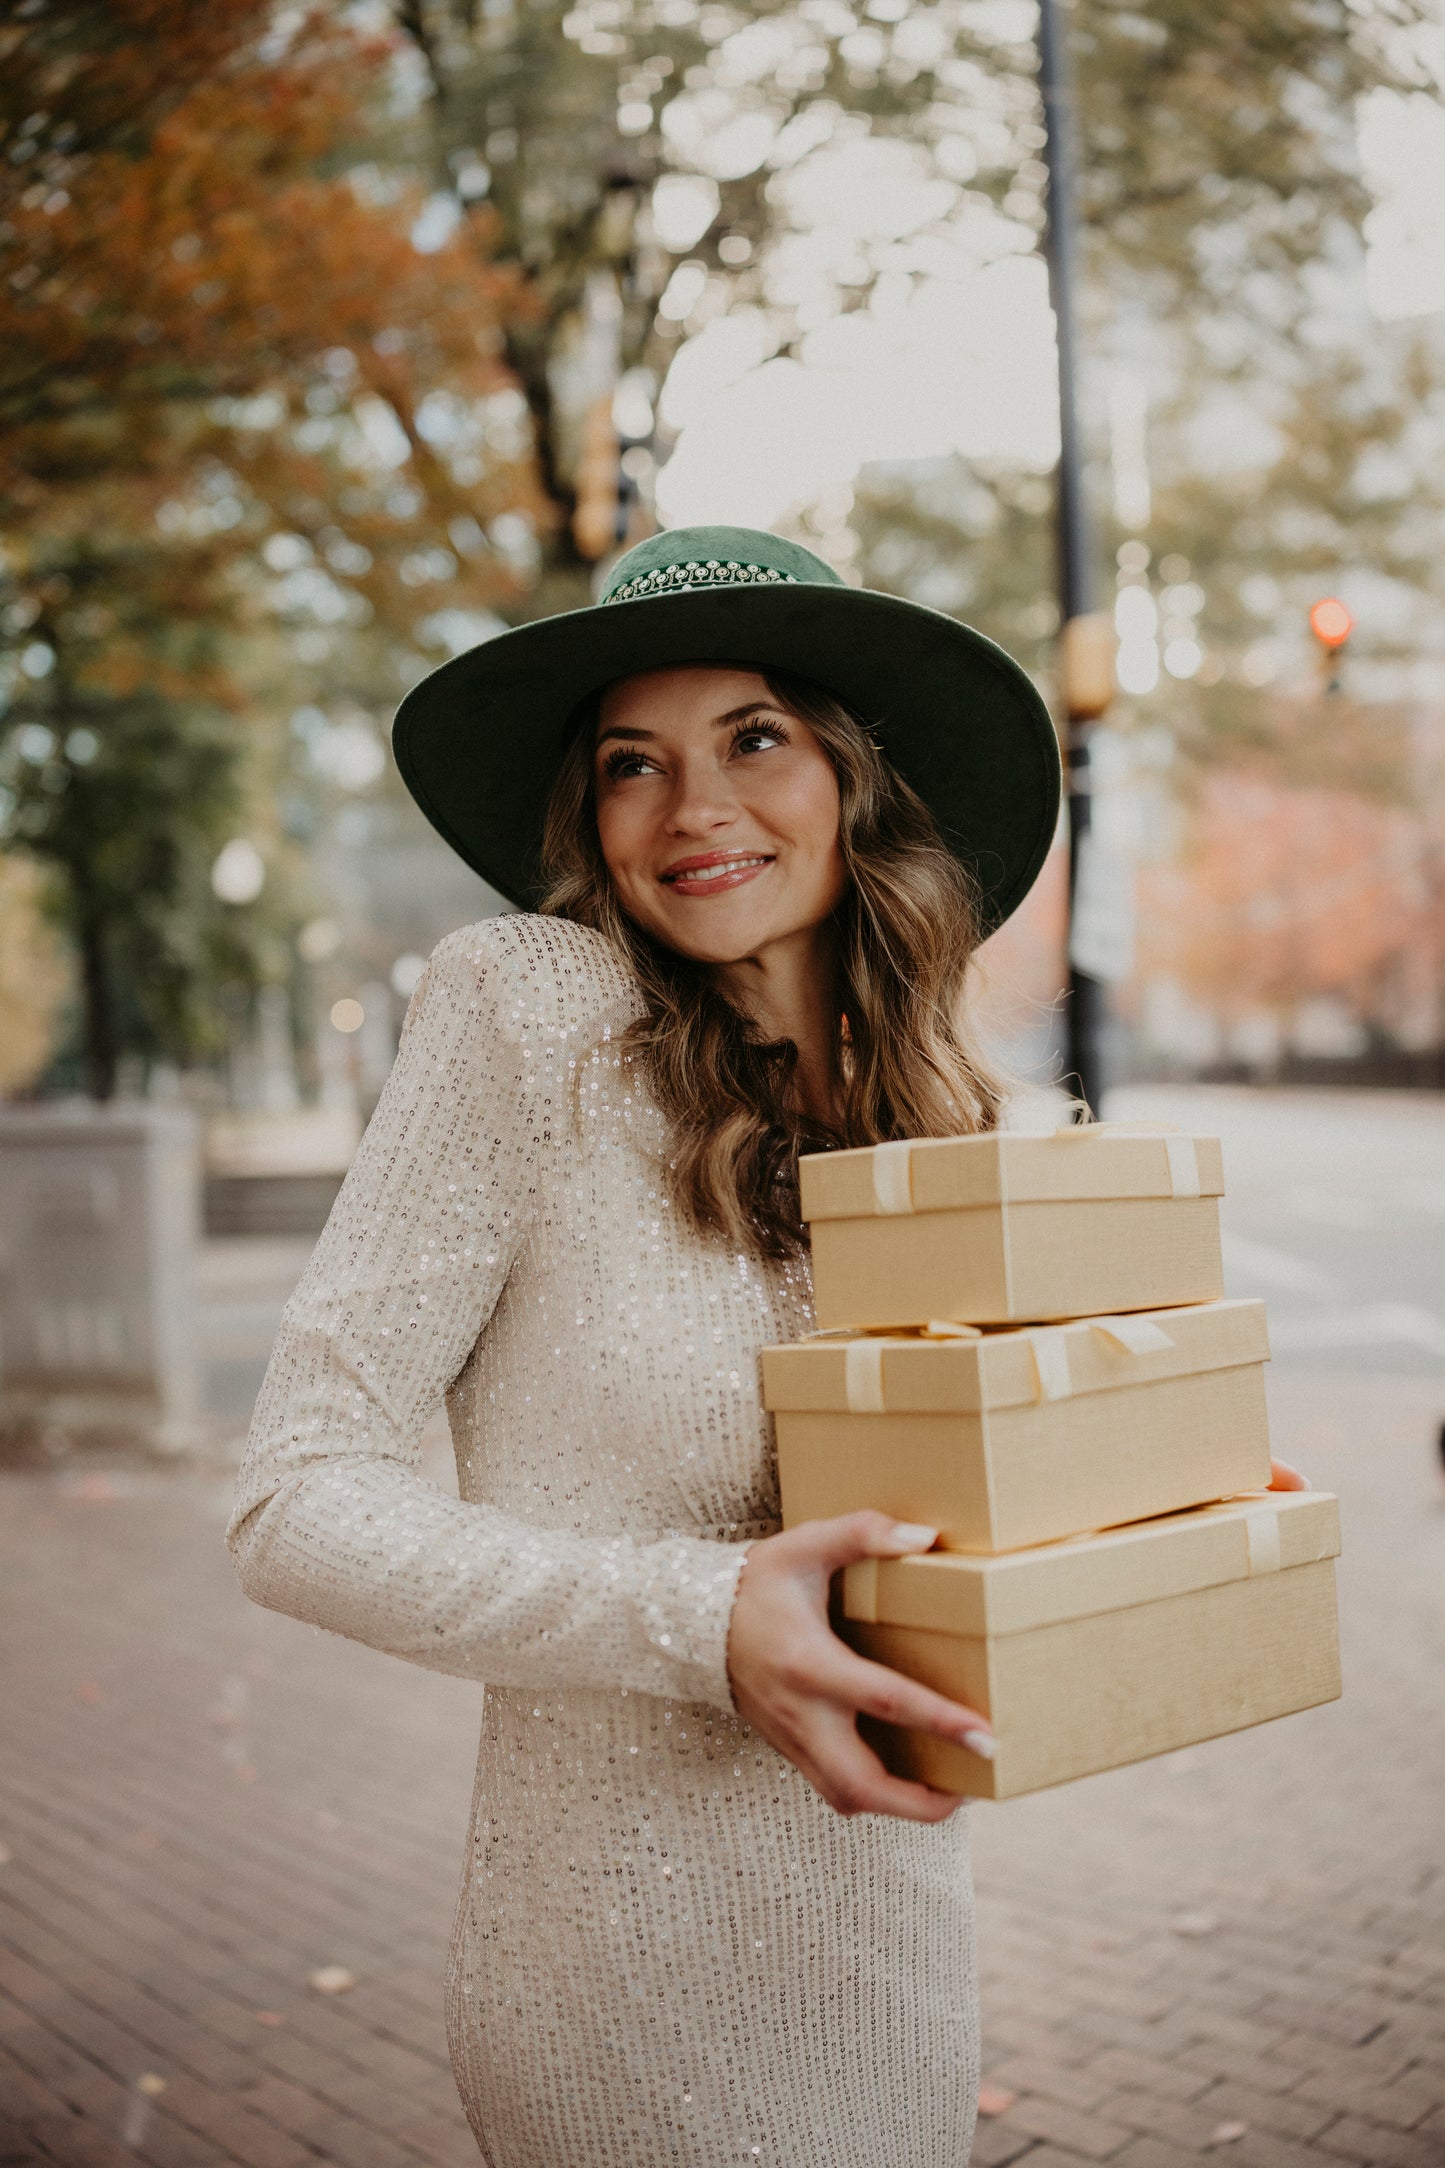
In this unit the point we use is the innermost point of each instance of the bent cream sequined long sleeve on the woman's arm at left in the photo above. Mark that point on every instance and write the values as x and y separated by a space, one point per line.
333 1519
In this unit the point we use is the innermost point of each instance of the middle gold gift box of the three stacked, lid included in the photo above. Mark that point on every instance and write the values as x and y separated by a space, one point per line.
1026 1436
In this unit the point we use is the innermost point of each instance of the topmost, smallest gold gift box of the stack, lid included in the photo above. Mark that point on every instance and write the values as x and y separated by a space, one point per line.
995 1230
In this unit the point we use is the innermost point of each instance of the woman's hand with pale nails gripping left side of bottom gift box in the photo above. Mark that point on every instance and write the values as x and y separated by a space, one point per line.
803 1688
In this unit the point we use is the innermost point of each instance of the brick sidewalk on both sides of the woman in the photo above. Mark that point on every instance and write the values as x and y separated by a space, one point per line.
1236 1952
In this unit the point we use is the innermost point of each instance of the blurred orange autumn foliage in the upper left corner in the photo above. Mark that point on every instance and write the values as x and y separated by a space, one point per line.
192 229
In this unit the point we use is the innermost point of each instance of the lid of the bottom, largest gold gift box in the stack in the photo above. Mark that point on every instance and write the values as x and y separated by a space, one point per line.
1017 1590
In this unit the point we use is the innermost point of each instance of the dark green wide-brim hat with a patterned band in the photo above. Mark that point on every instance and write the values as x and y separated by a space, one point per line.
480 740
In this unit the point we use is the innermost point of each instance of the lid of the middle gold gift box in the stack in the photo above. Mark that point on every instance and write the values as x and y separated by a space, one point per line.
965 1373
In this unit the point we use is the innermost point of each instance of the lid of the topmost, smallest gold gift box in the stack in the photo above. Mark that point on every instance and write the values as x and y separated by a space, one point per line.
948 1174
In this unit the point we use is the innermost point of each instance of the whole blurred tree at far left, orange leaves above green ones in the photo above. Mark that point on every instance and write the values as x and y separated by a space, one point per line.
239 393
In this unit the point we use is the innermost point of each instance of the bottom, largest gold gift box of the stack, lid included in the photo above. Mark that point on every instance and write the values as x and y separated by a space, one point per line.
1110 1649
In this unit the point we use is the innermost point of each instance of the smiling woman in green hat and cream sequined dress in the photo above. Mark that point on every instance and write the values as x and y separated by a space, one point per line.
699 1922
